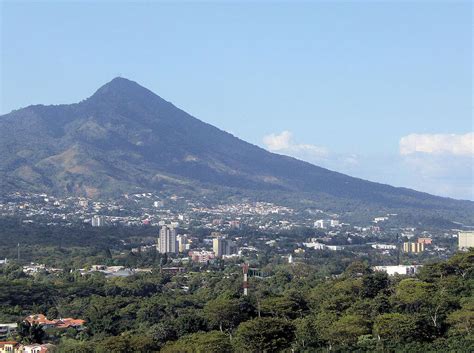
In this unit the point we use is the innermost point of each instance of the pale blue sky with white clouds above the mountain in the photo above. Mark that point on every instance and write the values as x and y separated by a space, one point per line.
380 90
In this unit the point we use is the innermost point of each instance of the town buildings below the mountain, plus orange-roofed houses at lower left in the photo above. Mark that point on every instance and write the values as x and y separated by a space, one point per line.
180 238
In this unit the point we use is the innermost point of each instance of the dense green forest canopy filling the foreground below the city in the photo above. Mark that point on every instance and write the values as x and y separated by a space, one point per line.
291 308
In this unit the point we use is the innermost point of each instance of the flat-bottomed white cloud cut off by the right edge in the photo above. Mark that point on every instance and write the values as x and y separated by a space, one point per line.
460 145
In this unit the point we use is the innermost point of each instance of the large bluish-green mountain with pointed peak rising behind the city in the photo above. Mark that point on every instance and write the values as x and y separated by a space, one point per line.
125 138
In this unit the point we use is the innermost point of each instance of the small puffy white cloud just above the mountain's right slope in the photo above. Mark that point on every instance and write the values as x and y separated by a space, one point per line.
283 143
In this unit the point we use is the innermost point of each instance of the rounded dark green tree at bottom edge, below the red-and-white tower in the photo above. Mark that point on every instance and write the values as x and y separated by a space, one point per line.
264 334
